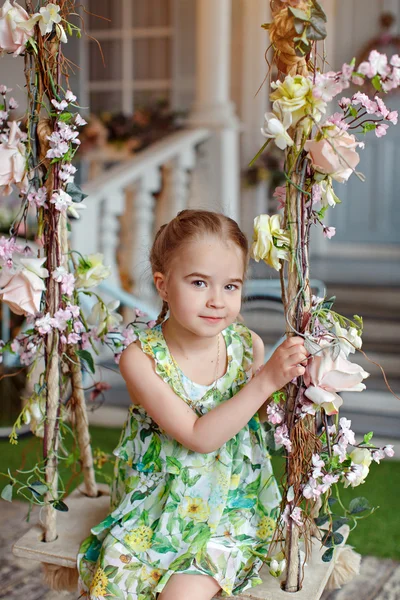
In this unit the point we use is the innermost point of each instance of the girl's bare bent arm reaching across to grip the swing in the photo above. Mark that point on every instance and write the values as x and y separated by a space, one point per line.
209 432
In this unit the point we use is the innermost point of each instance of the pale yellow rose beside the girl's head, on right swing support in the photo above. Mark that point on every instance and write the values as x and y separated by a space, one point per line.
270 241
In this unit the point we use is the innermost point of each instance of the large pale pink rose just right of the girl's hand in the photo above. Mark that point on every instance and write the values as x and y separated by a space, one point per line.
325 377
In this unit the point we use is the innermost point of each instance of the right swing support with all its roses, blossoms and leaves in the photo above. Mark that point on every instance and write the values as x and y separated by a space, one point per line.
321 147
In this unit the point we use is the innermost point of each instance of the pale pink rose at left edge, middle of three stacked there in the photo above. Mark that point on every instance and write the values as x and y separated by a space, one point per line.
13 162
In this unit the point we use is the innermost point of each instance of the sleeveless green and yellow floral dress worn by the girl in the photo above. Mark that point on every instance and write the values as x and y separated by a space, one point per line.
179 511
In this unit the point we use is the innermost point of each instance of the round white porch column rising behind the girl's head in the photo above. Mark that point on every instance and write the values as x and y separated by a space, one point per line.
213 107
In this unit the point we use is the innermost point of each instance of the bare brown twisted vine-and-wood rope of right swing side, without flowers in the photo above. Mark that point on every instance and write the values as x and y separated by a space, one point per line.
296 296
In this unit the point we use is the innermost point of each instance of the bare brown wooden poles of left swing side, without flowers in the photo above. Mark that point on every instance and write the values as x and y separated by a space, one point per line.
56 248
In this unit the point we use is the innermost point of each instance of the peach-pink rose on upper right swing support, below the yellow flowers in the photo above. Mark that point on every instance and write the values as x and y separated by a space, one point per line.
336 157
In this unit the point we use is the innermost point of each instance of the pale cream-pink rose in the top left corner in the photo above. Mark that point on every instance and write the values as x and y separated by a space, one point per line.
13 35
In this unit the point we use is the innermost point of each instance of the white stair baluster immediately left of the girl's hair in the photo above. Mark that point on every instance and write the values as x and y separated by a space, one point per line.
142 219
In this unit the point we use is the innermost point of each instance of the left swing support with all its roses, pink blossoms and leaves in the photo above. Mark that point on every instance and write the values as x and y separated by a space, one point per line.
47 281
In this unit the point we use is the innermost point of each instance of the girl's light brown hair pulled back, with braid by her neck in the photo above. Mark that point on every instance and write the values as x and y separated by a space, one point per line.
186 226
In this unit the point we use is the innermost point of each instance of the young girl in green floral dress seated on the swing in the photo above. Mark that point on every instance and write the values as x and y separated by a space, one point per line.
194 495
